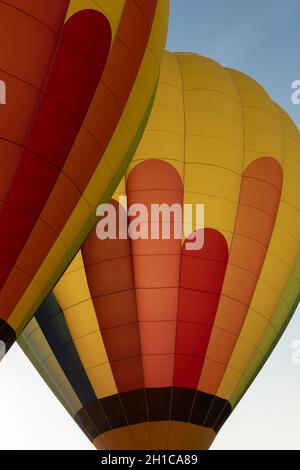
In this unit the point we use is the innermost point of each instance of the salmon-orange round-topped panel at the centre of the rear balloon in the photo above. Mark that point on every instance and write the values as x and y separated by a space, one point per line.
156 270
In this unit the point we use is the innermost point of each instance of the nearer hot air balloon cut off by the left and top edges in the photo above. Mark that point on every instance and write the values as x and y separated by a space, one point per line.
79 78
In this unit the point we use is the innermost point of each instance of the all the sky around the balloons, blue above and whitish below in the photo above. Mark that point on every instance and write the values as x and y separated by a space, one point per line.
262 39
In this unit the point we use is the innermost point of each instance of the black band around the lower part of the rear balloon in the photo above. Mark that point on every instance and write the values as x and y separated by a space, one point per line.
155 404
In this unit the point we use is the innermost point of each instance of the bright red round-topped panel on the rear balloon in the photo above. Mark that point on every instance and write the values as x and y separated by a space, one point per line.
201 279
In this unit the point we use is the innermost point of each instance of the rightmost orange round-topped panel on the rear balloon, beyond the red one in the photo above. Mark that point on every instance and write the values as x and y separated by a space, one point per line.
255 221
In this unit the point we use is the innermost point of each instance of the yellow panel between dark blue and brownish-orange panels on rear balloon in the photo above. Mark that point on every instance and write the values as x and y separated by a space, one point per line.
72 294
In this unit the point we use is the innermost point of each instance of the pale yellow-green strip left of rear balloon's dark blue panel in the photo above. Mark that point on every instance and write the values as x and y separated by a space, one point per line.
40 349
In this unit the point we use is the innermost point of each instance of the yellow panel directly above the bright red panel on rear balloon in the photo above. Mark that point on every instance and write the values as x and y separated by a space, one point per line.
214 139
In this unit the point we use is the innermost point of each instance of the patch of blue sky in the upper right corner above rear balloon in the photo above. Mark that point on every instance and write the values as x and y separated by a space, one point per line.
258 37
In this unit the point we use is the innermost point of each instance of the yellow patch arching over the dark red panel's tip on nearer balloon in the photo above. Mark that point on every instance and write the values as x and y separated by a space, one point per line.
112 9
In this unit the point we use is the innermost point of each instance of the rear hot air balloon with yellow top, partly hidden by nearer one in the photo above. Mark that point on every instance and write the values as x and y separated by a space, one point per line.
150 344
